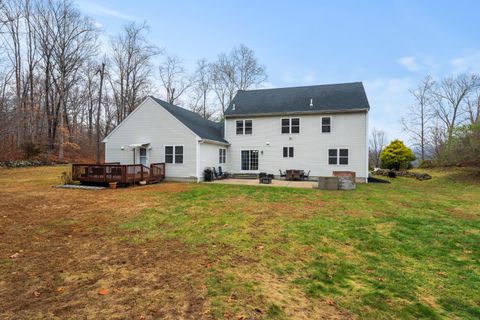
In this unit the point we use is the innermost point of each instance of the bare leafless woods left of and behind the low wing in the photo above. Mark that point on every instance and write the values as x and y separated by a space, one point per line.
62 90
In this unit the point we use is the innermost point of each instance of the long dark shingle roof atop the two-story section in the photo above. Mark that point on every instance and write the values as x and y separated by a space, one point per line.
326 98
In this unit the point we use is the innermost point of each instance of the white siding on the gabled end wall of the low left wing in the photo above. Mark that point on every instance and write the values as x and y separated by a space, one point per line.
151 123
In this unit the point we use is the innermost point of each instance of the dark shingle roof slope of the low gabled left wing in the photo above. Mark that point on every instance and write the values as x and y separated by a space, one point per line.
204 128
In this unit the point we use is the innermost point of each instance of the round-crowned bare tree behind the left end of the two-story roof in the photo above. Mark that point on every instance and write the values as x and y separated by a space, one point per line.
239 70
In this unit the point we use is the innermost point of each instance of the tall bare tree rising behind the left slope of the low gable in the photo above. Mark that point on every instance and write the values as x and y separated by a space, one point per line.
130 67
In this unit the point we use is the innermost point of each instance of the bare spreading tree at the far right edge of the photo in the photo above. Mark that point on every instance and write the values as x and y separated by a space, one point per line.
451 96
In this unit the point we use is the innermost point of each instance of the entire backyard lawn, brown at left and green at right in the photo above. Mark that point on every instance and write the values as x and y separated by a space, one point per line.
404 250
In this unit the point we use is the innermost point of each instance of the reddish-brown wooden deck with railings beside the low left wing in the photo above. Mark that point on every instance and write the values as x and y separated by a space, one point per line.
120 173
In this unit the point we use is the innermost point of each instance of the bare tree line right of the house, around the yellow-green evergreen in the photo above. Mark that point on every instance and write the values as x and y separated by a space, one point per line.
443 123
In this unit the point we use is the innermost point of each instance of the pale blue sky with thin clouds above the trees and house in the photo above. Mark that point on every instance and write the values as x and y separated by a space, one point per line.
388 45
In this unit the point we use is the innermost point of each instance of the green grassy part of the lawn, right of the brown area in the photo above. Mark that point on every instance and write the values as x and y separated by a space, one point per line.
406 250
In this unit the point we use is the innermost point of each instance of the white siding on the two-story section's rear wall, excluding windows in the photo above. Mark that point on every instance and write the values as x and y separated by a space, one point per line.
311 145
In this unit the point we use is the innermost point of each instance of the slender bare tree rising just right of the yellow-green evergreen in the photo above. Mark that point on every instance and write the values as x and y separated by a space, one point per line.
420 114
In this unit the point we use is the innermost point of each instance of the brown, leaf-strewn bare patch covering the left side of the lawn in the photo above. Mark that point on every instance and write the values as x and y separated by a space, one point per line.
65 250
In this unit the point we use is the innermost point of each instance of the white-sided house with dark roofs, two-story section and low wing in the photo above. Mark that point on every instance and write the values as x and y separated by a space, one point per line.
320 129
